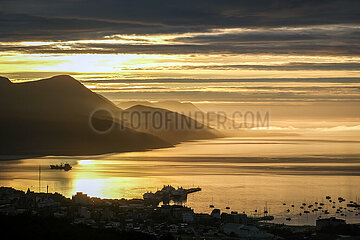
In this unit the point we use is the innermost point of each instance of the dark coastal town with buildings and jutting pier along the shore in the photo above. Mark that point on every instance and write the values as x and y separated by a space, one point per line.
147 219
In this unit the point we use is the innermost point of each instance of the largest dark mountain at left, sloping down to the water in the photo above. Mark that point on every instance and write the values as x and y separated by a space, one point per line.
55 116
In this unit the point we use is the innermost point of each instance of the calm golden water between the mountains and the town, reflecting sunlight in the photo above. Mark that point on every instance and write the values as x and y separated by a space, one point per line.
245 174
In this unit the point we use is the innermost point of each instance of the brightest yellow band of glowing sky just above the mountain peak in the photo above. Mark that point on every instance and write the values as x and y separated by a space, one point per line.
116 55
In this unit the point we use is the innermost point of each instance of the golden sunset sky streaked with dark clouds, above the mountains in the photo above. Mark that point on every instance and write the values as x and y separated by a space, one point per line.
287 52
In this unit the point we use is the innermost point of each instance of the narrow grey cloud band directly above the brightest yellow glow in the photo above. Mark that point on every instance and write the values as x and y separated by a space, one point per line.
297 48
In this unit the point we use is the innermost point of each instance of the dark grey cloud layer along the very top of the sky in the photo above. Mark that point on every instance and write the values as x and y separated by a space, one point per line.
77 19
